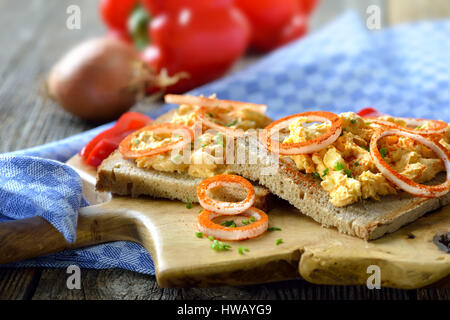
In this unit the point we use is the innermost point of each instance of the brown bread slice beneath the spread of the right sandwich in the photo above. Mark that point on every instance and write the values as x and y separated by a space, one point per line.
367 219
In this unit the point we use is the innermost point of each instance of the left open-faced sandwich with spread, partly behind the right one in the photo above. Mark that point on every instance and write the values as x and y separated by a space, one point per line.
158 162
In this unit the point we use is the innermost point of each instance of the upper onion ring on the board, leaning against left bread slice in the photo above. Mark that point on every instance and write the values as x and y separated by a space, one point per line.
225 207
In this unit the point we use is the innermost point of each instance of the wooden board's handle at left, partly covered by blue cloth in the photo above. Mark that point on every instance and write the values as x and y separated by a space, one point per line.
33 237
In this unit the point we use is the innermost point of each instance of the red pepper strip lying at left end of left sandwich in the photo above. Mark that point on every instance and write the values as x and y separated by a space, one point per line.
103 144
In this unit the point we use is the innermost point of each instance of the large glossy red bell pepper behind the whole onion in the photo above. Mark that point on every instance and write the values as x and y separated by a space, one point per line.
197 37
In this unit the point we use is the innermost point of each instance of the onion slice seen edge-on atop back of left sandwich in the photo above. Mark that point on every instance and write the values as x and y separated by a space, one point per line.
212 103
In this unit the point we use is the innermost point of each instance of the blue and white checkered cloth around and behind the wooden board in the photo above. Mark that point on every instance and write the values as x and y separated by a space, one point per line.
403 71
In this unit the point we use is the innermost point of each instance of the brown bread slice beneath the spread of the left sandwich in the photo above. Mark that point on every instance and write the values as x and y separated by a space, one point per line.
122 177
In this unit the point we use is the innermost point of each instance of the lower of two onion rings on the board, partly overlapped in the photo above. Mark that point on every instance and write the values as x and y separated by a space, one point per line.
219 232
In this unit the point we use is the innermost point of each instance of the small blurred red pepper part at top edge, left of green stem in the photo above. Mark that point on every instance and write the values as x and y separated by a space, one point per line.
115 13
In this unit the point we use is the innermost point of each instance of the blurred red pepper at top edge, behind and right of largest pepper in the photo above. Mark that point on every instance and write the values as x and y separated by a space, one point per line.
268 18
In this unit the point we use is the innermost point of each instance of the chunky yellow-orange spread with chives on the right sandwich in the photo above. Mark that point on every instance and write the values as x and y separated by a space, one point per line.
346 168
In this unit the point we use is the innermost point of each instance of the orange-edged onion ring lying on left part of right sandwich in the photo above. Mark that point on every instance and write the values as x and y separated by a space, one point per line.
305 147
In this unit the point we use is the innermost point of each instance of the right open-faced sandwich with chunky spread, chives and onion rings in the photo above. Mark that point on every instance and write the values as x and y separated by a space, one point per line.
364 176
